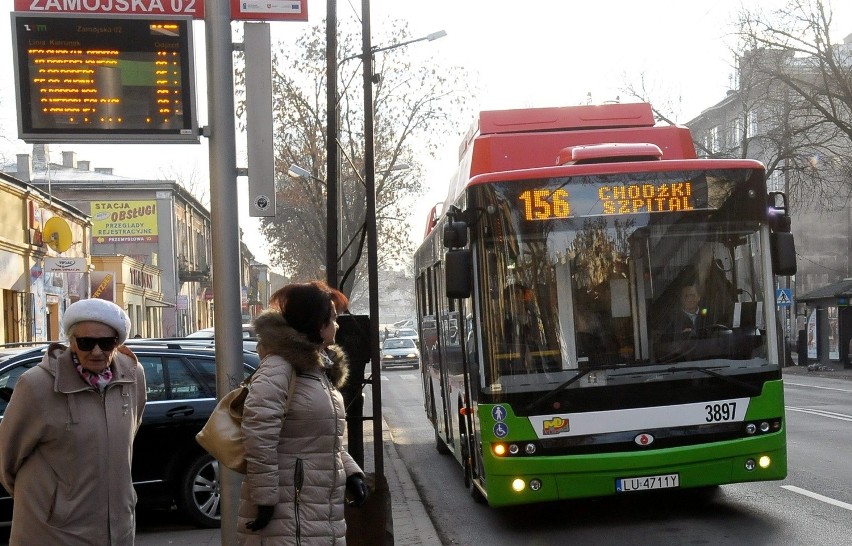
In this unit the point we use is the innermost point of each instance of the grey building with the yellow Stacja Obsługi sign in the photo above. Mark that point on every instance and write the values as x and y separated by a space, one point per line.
153 235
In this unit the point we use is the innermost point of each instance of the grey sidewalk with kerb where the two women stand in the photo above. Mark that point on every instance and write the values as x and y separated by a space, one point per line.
411 523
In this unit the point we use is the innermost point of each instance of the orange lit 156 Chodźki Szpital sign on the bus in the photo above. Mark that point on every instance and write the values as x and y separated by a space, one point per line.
550 204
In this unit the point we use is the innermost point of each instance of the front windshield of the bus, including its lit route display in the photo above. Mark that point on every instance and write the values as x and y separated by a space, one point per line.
621 278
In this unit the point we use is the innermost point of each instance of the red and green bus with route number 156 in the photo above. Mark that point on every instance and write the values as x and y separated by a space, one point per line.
555 364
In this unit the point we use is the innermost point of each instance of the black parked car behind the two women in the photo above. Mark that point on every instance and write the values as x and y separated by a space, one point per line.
170 469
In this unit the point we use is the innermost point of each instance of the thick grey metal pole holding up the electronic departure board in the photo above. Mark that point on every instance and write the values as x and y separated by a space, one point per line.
225 233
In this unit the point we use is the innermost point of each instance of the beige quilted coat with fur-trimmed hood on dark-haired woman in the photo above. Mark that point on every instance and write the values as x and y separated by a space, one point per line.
308 448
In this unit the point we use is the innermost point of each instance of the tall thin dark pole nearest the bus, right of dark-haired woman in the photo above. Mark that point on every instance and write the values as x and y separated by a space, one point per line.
372 242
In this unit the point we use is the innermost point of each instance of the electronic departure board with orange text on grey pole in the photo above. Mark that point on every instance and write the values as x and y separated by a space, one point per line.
104 78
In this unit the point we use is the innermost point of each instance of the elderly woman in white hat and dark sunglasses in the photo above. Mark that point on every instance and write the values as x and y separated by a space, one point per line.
66 439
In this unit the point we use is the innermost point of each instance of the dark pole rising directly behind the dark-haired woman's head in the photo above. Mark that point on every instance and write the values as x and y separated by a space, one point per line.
332 174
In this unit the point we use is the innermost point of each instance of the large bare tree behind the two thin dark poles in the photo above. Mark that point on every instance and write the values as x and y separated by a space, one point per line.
416 105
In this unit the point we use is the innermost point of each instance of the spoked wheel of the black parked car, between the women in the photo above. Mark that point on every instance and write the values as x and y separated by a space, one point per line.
200 491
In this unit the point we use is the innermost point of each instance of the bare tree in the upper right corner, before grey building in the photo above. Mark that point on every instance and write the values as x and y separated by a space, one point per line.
806 97
